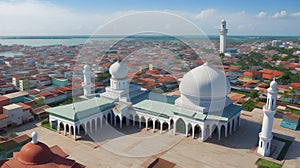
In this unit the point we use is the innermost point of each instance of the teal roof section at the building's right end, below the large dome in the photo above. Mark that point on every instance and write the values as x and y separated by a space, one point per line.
227 114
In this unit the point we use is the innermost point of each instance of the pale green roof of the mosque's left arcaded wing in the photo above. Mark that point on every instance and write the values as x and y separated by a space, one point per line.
82 109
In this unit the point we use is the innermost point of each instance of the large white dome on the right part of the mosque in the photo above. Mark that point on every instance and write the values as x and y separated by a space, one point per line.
205 82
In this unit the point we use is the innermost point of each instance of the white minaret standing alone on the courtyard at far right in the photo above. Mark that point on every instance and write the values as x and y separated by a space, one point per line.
265 136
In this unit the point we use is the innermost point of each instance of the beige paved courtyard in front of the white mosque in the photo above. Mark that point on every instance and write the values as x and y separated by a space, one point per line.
131 147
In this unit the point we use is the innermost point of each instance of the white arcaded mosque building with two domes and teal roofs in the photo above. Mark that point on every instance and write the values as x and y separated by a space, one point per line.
203 109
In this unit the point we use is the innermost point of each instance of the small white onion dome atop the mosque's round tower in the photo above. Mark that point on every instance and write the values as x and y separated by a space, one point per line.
118 70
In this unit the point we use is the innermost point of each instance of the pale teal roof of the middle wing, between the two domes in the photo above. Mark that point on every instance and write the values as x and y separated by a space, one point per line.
155 108
